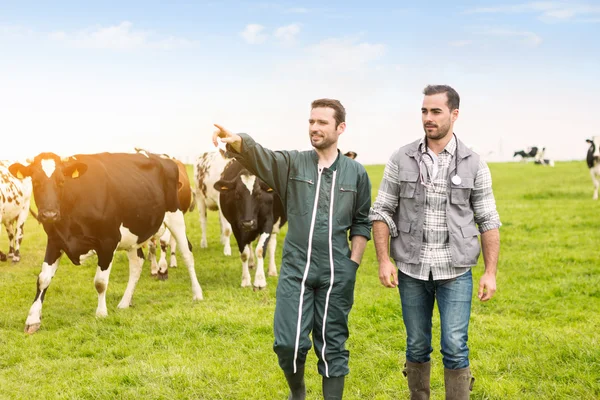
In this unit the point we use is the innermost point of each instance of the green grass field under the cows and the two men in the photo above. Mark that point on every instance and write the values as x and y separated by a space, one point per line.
538 338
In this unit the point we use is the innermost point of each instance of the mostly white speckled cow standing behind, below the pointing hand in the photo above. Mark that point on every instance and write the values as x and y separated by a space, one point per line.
208 169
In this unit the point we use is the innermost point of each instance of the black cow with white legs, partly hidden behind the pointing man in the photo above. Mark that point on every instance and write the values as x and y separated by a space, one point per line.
254 211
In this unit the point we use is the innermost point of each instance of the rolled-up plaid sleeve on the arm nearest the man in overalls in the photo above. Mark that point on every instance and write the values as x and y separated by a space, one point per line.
386 202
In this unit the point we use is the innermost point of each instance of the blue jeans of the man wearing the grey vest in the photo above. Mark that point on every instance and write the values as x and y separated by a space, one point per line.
454 302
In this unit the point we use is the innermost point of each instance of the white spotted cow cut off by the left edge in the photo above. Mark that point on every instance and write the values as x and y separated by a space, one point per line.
15 196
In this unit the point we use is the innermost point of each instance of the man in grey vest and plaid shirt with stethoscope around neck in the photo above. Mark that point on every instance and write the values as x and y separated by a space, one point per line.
434 200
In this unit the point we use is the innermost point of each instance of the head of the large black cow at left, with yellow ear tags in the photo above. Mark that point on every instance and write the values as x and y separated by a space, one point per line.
48 174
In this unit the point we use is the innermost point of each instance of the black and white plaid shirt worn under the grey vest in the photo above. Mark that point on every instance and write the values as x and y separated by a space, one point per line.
435 255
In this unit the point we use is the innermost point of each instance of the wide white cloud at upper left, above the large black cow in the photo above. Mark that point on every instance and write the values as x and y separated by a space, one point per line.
119 37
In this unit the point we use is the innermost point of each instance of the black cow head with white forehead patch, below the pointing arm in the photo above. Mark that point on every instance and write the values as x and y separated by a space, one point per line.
249 194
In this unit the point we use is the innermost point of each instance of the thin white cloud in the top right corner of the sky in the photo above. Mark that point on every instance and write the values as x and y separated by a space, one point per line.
548 11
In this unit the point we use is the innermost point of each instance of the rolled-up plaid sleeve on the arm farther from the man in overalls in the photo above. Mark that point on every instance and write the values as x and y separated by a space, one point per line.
483 201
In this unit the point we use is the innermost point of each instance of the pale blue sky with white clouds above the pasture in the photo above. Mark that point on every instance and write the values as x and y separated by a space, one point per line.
109 76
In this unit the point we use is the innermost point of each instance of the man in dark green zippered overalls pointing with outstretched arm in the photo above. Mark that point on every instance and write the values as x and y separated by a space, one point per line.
326 195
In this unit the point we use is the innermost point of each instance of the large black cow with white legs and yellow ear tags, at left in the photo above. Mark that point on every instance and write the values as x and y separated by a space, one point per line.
102 203
